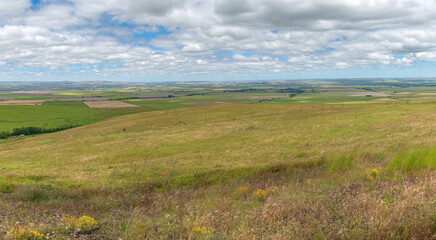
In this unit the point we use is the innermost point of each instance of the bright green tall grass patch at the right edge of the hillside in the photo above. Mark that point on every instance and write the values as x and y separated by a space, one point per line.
415 159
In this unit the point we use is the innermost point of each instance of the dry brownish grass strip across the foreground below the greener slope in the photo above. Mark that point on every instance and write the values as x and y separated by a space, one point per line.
301 208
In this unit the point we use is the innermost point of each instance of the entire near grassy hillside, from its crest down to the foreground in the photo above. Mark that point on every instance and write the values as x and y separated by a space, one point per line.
191 173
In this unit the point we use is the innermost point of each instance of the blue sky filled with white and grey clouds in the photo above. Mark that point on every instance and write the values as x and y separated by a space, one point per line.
216 40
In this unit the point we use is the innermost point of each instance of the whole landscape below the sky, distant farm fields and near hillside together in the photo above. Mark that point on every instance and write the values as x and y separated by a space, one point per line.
216 160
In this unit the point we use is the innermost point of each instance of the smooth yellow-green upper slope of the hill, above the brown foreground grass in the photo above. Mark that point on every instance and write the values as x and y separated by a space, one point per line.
235 136
